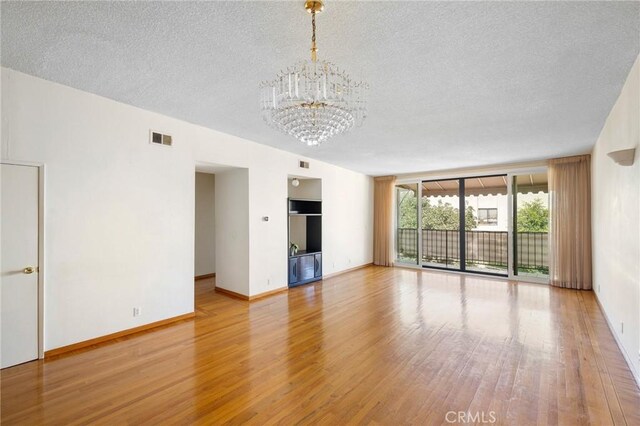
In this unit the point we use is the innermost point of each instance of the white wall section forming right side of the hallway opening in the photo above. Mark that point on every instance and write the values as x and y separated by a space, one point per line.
232 223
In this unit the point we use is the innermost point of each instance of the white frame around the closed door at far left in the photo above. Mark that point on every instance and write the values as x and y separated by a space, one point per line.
41 242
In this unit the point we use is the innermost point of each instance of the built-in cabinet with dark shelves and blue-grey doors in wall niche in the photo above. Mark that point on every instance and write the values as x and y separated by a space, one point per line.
305 230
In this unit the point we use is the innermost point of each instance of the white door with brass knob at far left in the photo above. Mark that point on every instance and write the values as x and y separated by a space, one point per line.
19 234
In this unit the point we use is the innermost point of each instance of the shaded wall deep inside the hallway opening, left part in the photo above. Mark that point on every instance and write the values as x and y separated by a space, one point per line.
205 232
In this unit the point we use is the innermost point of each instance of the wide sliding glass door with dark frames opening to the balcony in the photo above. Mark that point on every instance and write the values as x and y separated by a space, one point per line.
495 224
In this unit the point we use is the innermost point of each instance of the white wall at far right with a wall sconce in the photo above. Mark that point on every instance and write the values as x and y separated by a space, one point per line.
616 215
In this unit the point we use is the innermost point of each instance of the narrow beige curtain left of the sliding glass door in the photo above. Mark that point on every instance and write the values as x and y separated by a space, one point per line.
383 220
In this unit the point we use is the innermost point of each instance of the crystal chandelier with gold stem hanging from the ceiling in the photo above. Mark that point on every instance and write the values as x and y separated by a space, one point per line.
313 100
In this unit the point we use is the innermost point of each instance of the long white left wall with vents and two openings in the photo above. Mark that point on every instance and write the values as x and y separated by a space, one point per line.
119 212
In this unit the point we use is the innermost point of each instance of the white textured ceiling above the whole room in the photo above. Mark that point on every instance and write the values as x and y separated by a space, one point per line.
453 84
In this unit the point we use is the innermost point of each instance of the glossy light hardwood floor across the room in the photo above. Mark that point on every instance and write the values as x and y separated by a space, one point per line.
374 346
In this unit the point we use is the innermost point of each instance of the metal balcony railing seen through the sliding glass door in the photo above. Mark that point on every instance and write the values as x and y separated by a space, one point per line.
482 247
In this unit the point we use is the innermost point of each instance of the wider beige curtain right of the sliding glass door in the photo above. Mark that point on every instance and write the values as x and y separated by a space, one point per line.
570 235
